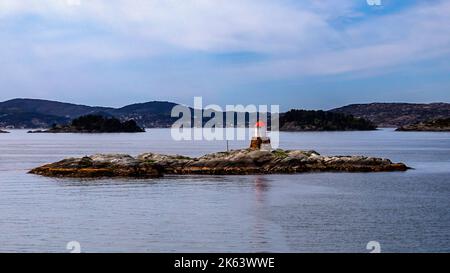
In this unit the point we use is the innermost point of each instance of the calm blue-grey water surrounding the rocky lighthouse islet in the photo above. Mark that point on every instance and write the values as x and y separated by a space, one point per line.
323 212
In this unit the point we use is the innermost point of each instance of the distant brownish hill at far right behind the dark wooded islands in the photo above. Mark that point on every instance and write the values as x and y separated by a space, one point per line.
396 114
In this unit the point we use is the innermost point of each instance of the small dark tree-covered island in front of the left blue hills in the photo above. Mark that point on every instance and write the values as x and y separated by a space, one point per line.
95 124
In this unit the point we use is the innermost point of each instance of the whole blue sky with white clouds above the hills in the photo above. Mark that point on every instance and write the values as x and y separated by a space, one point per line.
312 54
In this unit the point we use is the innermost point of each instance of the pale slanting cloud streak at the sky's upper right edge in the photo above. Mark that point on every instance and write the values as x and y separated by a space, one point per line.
420 33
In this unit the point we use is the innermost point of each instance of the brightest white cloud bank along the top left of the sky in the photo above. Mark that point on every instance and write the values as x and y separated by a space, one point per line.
220 25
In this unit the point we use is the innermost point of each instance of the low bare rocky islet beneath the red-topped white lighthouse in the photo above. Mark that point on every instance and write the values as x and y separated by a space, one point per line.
237 162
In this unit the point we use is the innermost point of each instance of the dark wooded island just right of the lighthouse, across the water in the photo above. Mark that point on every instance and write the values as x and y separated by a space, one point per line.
302 120
